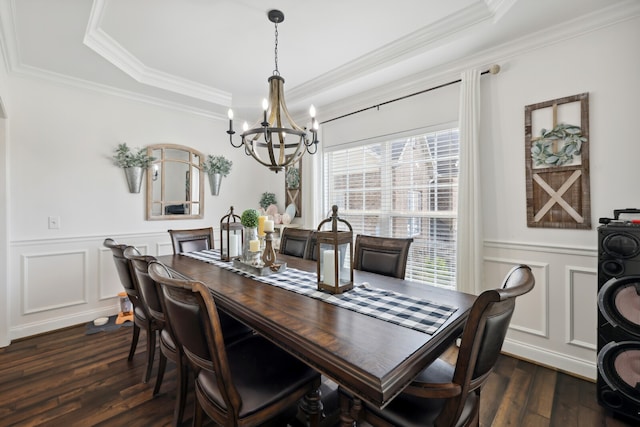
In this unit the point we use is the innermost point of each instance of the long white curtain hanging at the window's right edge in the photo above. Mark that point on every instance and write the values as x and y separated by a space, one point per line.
470 236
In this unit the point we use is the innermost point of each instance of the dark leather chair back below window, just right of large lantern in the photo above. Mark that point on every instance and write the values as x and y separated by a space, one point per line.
381 255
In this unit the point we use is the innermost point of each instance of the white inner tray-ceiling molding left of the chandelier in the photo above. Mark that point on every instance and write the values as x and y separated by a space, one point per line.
104 45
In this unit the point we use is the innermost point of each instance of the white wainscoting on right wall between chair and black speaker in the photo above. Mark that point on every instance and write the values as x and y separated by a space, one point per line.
555 324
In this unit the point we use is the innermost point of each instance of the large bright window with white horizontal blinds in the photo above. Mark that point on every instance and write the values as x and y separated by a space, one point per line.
405 187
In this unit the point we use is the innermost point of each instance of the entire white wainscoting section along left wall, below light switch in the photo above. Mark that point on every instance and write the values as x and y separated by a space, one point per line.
61 282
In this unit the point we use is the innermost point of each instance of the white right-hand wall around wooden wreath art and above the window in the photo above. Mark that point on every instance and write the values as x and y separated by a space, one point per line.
556 323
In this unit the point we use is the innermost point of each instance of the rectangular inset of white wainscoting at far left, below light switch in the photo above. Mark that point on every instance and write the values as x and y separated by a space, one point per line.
53 280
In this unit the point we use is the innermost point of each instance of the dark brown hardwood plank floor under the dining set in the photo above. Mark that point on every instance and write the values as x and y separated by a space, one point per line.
68 378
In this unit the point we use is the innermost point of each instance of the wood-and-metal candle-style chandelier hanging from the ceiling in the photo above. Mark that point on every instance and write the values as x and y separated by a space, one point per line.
269 141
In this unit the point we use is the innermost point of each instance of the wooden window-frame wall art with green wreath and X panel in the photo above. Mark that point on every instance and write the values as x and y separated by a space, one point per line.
557 163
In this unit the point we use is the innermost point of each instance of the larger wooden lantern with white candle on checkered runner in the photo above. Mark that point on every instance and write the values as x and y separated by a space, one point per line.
335 256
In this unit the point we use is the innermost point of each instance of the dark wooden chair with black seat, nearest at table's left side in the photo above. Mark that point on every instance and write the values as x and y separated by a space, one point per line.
244 383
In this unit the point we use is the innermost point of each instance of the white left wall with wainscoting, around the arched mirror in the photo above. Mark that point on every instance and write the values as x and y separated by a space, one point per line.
61 139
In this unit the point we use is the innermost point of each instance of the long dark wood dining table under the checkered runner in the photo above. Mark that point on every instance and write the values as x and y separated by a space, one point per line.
371 358
